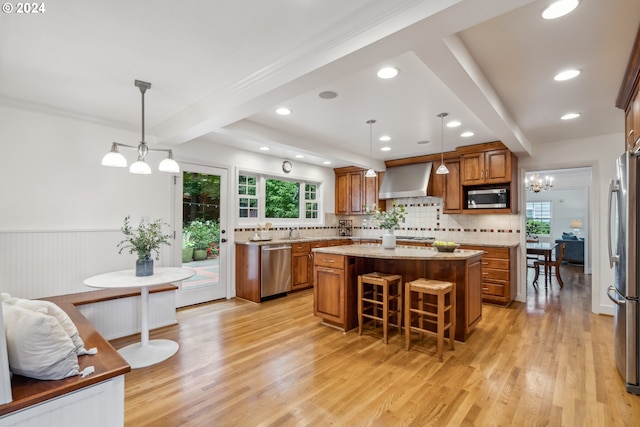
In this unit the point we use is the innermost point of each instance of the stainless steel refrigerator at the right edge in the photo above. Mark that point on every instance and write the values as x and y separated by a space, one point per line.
623 257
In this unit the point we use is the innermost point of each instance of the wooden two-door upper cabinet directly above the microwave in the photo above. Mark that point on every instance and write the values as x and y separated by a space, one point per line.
487 167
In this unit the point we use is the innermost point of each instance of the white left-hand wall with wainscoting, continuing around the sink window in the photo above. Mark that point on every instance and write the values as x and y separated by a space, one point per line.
55 191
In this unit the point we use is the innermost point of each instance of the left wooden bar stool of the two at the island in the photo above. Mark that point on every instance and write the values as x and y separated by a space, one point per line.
380 297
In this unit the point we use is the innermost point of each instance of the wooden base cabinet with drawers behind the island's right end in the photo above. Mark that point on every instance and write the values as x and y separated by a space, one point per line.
499 270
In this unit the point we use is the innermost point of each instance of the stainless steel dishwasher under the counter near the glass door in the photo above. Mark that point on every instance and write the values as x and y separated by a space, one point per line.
275 269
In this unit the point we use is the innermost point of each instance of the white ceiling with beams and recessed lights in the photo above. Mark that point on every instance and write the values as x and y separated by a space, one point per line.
219 69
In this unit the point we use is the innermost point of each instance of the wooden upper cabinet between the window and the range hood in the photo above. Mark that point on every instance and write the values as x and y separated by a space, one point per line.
354 191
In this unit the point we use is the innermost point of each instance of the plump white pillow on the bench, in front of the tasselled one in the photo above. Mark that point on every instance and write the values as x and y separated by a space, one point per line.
37 345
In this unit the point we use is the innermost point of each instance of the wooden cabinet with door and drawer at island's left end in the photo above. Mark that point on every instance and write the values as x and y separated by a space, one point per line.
333 291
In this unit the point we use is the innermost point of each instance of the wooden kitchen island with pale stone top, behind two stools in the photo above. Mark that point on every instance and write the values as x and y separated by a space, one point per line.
336 271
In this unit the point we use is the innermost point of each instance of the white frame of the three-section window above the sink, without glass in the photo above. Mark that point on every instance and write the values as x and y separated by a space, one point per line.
260 193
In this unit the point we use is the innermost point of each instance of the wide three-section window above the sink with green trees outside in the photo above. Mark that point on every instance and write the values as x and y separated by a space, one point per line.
271 199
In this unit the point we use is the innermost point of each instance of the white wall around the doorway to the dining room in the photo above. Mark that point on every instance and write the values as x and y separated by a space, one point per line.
600 153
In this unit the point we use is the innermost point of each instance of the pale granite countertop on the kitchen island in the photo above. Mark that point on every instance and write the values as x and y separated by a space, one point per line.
400 252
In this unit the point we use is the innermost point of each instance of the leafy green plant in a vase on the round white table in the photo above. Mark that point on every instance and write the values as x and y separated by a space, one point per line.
143 241
